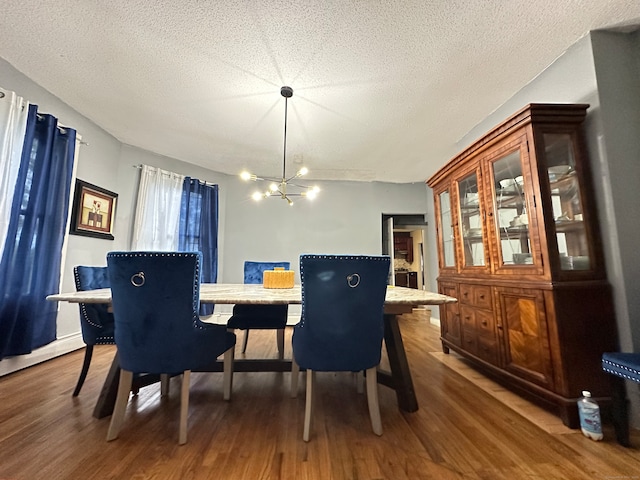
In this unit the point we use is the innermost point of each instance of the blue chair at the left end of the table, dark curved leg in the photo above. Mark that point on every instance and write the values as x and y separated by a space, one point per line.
96 322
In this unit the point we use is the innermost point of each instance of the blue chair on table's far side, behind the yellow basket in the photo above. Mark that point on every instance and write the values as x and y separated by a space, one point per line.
260 317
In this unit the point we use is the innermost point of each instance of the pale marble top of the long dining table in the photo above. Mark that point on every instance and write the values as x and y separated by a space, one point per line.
229 293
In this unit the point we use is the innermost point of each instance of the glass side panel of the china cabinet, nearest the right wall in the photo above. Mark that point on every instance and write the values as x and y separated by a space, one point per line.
566 202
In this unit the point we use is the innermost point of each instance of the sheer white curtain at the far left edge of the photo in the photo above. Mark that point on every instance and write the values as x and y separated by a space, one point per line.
13 124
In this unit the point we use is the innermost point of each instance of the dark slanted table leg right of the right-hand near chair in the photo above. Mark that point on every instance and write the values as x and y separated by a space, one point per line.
400 377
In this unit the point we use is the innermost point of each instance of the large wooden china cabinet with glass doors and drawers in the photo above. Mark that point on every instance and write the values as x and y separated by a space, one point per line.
518 245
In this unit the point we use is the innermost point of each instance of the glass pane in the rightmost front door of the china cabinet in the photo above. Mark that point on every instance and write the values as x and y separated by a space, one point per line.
510 207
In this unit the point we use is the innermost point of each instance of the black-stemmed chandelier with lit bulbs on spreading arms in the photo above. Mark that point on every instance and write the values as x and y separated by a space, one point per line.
282 187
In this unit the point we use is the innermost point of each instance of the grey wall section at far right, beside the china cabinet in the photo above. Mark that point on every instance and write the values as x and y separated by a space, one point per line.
617 66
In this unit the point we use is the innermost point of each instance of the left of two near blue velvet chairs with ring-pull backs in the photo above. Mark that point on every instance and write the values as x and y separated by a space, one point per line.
155 297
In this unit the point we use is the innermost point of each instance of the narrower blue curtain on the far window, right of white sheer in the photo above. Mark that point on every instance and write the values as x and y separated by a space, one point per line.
199 228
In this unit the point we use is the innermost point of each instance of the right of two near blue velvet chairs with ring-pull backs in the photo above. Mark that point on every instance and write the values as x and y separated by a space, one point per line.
342 324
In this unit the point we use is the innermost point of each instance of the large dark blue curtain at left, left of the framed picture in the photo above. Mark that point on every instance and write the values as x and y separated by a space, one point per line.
30 262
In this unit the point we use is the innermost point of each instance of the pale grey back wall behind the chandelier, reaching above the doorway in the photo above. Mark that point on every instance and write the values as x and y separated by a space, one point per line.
345 218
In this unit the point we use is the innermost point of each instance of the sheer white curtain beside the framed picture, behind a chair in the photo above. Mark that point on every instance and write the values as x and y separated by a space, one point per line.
157 218
